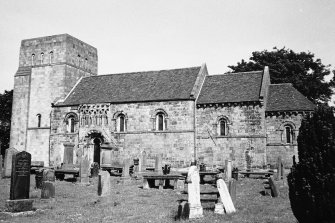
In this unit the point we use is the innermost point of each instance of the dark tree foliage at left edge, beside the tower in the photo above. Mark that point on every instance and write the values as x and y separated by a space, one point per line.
6 100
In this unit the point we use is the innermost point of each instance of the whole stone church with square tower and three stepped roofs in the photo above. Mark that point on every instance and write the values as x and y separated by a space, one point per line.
63 110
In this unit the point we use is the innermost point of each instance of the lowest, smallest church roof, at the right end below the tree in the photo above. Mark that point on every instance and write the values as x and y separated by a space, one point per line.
284 97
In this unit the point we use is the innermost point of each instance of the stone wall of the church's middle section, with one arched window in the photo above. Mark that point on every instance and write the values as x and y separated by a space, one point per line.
246 132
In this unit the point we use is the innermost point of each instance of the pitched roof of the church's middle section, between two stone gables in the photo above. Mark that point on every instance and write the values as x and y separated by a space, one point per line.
232 87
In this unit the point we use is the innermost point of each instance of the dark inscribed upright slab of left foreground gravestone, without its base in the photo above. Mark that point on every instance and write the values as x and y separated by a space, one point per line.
20 177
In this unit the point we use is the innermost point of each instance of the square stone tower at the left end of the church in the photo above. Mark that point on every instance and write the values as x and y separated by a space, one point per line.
49 67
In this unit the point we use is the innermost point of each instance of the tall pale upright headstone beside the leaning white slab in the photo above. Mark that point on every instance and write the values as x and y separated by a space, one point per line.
193 180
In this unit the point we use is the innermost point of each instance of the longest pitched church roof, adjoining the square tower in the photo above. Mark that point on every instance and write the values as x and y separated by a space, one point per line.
160 85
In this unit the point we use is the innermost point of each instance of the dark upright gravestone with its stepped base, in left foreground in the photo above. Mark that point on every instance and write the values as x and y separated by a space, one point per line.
20 183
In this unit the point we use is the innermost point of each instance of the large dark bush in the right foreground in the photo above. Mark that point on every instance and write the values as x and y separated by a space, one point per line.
312 180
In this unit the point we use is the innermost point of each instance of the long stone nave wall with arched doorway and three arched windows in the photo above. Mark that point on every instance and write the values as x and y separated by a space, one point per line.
176 143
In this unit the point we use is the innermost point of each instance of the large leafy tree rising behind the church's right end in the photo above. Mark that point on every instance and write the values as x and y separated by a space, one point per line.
286 66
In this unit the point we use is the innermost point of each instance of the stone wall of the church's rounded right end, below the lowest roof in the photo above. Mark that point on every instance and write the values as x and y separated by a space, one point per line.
276 145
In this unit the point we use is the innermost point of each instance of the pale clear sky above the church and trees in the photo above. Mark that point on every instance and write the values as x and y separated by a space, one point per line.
143 35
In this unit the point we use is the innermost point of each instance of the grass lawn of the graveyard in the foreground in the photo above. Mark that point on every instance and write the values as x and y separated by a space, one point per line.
131 203
